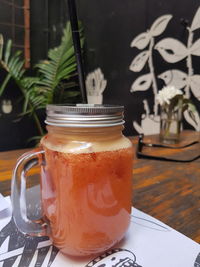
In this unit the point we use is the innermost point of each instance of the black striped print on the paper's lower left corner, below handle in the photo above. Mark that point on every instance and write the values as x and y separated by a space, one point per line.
26 247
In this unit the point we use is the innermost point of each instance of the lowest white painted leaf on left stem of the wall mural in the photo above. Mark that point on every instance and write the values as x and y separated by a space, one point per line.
142 83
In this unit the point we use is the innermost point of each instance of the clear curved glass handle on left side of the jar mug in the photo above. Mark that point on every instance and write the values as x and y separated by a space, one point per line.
18 194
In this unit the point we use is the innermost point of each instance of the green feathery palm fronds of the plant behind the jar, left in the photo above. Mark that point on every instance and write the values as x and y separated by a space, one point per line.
52 75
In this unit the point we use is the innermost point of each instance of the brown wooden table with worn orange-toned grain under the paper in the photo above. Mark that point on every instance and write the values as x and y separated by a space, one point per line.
168 191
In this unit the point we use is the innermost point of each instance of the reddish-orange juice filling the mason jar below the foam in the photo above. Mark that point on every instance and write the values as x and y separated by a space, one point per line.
86 198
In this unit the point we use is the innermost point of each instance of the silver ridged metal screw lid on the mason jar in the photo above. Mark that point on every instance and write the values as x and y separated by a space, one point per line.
84 115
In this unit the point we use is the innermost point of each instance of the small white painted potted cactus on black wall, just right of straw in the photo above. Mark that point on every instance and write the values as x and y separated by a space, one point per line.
95 86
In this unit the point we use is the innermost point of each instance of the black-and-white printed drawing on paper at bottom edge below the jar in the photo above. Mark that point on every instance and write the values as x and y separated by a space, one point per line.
115 258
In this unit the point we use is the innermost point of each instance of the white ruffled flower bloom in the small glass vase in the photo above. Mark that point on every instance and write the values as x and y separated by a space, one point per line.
165 95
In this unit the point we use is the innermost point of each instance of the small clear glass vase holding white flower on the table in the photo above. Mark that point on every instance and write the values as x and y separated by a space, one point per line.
170 124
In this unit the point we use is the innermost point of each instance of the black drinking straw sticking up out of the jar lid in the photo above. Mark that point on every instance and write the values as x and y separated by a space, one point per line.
77 47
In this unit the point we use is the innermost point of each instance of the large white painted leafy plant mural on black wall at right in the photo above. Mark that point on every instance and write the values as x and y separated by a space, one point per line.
172 51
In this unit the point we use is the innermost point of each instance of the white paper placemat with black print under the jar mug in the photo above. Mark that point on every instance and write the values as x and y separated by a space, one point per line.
148 243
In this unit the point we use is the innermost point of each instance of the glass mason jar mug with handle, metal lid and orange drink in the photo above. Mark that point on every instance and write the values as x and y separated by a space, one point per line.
86 173
